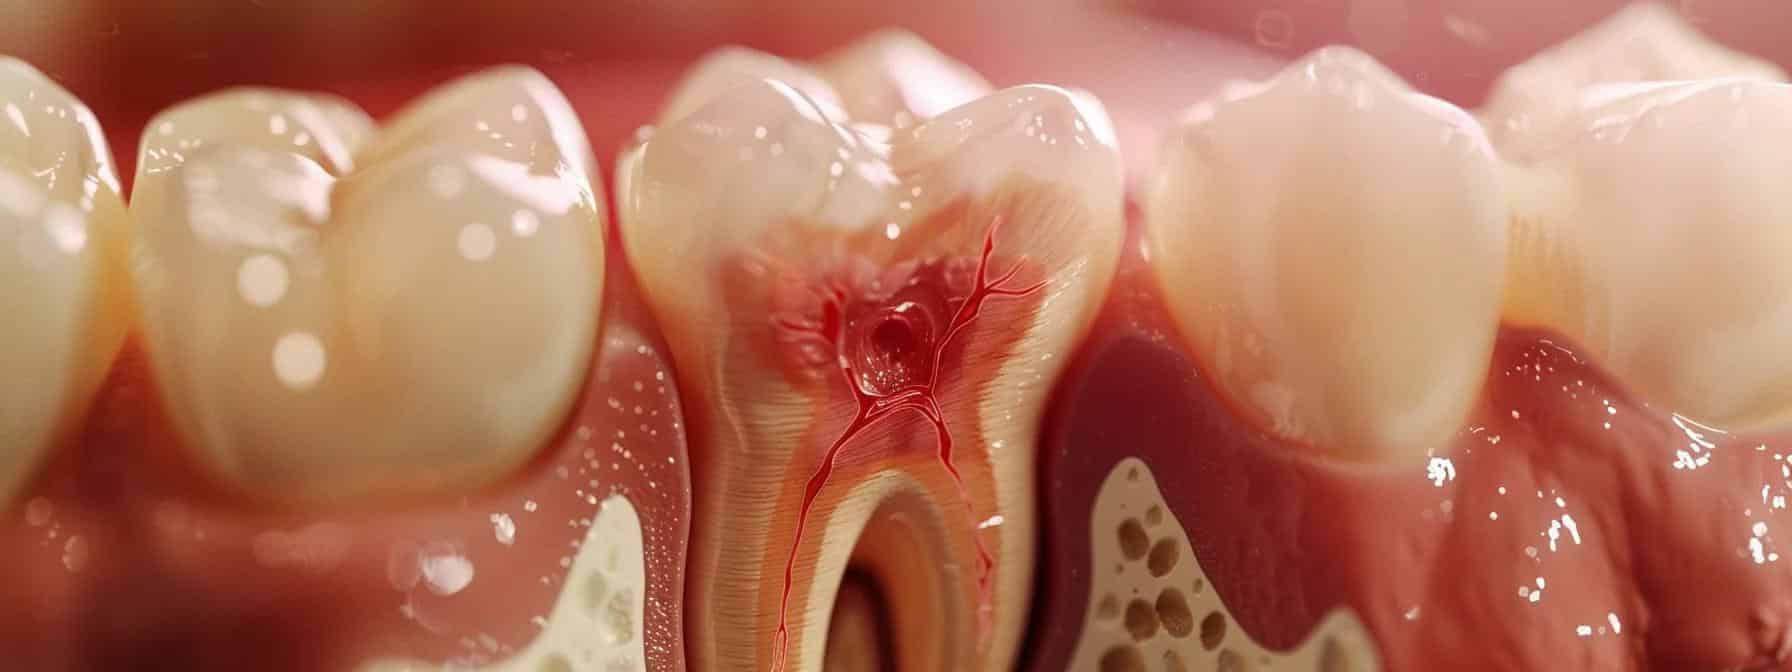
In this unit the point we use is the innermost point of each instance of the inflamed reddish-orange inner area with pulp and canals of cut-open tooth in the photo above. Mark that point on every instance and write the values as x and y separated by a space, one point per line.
893 341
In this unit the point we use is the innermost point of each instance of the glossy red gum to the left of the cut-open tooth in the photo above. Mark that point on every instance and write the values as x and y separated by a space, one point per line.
126 556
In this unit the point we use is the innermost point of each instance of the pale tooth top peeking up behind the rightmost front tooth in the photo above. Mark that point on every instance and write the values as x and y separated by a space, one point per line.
1644 42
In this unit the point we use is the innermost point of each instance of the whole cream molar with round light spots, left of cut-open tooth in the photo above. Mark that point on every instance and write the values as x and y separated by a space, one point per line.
413 320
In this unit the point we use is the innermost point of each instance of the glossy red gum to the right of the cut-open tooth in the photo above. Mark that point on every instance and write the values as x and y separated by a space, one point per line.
1565 528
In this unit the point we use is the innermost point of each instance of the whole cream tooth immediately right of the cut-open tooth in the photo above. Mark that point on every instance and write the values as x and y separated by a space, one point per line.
1332 248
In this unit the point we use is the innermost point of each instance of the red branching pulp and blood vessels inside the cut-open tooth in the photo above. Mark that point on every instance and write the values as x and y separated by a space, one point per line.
890 354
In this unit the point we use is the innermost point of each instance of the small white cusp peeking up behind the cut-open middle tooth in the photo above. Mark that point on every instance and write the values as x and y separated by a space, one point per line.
899 80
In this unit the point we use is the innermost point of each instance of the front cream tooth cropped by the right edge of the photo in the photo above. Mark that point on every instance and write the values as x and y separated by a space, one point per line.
1658 239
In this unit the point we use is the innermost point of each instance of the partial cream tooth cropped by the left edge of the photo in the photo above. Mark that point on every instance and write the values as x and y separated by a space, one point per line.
62 266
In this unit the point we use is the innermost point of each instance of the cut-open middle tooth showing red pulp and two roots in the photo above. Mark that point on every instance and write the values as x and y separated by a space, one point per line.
759 225
